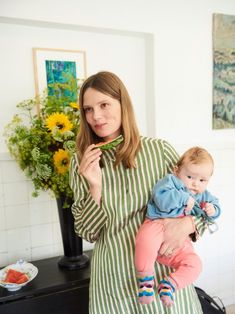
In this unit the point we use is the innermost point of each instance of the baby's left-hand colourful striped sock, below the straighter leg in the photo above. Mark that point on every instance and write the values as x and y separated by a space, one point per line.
146 292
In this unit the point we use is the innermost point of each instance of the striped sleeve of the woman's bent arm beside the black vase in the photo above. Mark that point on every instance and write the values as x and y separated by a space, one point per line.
89 216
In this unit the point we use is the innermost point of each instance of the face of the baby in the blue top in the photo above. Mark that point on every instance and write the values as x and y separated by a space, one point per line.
195 176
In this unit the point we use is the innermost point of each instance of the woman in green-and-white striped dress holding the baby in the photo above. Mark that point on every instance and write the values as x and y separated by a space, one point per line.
111 190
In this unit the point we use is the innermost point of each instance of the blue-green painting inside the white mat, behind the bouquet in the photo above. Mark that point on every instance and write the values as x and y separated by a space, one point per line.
61 79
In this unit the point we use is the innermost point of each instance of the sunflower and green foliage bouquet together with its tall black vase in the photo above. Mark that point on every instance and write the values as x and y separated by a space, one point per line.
42 144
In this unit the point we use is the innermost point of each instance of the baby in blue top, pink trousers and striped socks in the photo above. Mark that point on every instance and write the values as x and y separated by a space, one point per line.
176 195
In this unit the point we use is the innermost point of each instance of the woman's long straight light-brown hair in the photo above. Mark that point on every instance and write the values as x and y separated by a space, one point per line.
109 84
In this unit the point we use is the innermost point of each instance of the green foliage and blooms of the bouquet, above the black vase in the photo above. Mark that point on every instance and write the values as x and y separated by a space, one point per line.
33 144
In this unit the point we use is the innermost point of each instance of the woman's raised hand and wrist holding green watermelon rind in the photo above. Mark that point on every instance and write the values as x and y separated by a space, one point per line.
90 169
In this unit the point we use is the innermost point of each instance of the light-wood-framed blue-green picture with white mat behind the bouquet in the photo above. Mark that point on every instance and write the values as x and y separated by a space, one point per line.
53 65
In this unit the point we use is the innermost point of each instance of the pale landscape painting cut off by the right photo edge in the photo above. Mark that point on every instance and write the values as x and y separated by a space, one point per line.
223 71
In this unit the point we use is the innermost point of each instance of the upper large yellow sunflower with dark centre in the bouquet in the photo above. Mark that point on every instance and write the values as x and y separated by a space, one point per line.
58 121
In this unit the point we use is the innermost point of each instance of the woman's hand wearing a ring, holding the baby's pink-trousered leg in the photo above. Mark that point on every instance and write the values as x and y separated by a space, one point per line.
177 230
